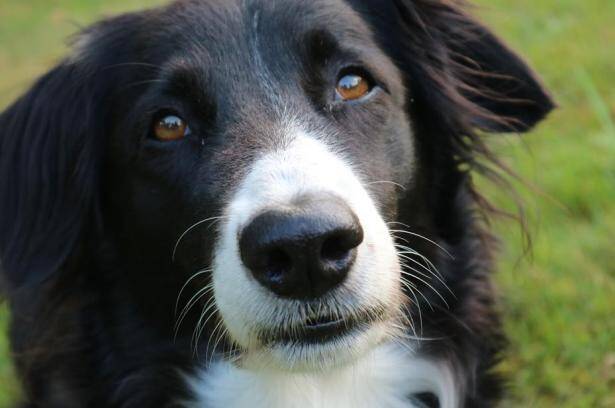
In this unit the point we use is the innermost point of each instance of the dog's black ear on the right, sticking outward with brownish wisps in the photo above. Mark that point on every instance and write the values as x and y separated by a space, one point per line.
446 51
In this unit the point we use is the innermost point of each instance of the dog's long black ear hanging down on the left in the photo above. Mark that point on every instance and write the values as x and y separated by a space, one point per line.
51 149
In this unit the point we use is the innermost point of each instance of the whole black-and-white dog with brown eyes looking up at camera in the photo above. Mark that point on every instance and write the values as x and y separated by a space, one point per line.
253 203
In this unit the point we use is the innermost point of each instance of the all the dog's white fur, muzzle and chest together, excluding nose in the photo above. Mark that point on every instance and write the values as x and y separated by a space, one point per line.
362 369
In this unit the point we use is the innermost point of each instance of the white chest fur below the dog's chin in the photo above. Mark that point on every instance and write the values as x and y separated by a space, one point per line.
385 378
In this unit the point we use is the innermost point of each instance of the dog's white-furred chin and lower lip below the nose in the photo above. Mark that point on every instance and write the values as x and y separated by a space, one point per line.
318 347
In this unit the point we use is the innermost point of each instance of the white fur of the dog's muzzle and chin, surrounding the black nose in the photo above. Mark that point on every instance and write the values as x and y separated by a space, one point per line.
305 165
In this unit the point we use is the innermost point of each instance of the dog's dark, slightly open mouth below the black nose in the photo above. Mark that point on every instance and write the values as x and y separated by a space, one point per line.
321 329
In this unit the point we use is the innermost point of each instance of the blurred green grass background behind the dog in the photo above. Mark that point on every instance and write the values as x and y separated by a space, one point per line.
559 303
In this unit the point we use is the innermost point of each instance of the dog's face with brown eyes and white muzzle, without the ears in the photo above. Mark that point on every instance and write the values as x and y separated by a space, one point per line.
279 157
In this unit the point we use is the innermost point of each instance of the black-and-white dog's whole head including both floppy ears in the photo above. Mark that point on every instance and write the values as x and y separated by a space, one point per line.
261 156
